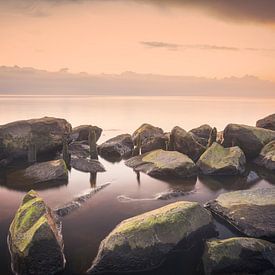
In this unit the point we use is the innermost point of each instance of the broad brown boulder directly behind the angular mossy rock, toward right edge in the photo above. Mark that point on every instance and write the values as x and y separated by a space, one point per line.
250 139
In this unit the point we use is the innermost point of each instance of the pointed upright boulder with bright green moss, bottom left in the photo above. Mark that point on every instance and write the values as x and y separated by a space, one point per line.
34 239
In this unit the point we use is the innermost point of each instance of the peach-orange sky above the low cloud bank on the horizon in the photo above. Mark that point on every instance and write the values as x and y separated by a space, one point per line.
203 38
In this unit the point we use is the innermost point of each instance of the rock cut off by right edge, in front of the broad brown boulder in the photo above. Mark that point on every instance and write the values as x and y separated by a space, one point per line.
267 156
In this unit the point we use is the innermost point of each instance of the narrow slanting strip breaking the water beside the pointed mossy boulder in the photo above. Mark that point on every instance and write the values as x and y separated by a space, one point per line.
76 203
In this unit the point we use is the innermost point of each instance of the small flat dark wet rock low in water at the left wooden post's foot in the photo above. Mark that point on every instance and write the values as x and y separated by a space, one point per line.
87 165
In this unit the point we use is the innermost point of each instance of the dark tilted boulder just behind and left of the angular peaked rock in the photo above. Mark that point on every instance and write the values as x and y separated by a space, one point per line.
186 143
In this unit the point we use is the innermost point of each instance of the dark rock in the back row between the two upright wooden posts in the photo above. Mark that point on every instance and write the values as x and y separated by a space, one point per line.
116 147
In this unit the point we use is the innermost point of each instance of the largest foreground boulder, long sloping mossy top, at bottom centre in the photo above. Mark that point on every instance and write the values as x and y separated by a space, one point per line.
143 242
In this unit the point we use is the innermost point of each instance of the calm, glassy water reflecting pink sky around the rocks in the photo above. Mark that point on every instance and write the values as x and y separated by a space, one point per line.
85 228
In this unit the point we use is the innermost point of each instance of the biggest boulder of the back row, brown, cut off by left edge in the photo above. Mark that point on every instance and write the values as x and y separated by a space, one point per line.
46 133
